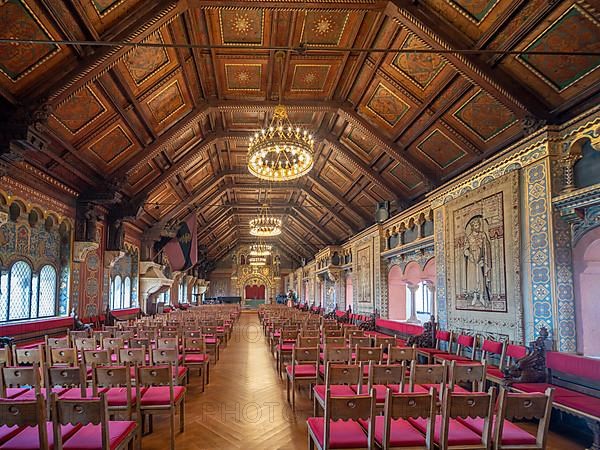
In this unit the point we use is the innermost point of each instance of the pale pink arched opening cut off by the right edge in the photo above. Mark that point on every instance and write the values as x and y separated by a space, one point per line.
586 271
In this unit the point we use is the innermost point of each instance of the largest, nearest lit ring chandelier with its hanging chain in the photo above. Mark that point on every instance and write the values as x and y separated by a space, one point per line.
282 151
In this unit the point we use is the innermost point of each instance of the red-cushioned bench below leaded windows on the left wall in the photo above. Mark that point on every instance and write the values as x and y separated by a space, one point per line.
31 334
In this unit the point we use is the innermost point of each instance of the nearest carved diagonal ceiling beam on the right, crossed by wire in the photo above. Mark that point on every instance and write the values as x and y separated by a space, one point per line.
439 36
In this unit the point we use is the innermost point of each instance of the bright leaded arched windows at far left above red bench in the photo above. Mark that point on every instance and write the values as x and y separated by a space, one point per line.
25 294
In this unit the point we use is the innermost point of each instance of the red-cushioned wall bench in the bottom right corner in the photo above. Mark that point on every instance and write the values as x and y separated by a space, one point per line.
576 380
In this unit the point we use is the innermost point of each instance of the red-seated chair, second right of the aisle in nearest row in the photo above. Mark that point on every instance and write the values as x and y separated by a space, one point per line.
394 431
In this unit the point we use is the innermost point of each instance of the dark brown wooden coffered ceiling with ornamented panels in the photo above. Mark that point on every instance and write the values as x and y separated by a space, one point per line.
167 125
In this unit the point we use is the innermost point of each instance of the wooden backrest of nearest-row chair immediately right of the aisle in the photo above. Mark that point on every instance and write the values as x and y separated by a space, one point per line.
349 408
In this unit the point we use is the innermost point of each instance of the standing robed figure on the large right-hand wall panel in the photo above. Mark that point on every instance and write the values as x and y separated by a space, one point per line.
478 262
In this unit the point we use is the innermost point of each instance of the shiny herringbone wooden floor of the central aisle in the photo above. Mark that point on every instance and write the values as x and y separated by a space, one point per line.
244 406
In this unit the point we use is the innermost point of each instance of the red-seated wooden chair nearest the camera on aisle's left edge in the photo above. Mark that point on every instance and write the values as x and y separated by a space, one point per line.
160 397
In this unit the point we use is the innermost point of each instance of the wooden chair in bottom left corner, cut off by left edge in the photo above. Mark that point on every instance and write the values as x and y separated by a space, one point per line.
27 418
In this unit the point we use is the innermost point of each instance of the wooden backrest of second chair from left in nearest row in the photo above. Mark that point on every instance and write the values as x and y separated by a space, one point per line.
80 411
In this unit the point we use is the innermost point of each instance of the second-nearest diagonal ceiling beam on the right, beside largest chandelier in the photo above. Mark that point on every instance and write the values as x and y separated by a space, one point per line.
390 148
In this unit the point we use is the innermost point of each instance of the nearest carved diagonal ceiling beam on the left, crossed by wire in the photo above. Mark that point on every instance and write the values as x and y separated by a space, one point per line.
104 59
